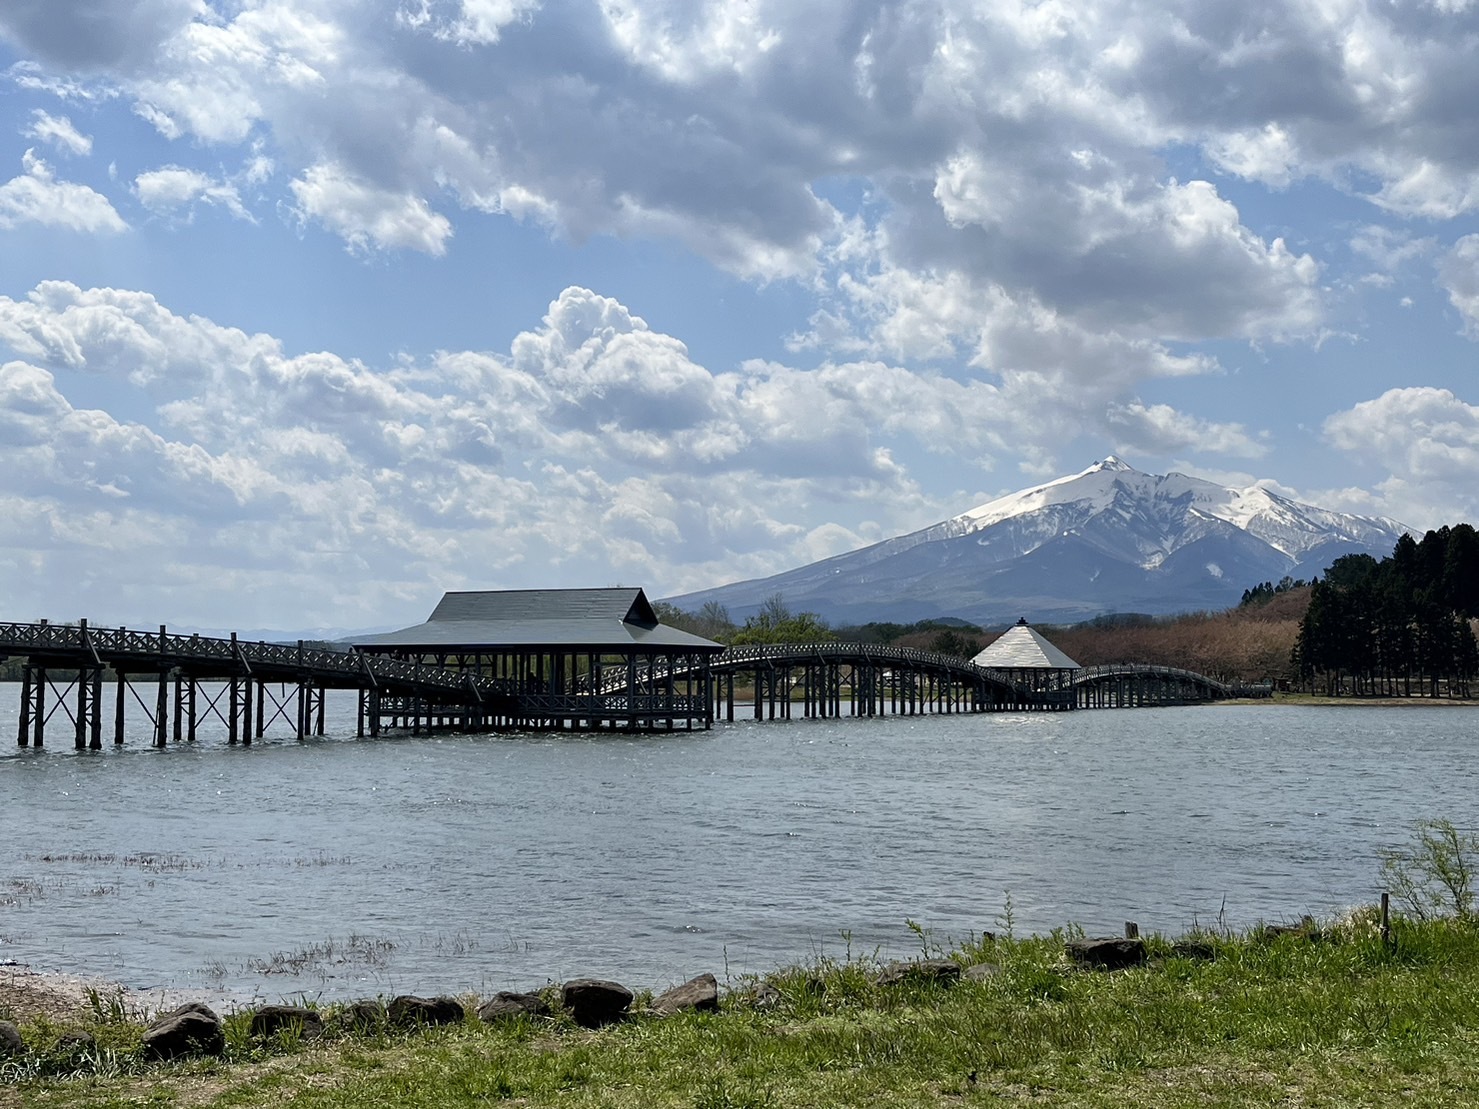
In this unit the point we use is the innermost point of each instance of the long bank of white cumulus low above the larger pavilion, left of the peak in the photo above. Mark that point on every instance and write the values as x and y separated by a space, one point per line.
594 449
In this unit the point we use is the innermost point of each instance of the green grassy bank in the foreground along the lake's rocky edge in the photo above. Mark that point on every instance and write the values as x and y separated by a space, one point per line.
1329 1017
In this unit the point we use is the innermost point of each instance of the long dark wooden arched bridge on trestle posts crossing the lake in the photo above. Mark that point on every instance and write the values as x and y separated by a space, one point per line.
180 682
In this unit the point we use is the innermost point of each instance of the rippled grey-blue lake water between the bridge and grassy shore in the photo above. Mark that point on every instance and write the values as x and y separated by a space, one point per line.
342 867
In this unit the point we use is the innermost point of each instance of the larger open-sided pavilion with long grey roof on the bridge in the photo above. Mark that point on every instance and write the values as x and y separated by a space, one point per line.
579 659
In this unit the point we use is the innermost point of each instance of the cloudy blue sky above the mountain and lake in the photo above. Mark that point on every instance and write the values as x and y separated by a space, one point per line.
313 310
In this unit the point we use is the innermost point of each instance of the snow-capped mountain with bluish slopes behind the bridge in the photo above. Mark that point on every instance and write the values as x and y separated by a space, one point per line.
1107 540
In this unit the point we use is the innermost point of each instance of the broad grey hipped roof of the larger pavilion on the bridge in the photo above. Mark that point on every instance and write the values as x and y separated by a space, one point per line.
578 619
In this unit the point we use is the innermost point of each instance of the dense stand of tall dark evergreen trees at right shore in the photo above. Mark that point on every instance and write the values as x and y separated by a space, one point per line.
1397 628
